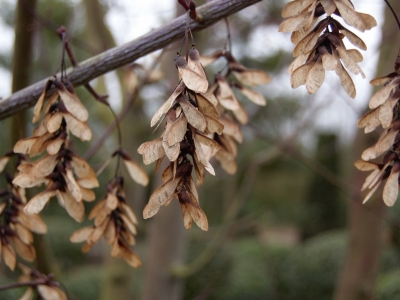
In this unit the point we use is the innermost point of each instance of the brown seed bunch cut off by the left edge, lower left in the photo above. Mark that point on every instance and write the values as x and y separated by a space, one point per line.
16 226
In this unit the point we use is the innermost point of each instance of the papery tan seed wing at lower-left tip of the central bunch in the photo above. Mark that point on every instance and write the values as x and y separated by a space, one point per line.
159 197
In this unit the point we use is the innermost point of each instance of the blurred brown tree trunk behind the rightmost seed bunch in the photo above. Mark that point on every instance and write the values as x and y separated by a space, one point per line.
366 222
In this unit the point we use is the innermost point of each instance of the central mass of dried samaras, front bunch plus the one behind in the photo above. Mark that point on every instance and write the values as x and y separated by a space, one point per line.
201 123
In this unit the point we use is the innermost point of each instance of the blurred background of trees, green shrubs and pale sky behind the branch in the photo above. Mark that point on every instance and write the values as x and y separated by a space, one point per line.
288 225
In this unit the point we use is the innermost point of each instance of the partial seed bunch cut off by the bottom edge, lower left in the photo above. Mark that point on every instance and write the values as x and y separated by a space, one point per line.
44 288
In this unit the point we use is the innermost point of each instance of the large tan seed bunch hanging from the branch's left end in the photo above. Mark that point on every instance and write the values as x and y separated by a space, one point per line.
66 175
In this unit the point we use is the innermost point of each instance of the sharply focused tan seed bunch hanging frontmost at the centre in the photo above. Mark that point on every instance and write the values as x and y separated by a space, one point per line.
190 116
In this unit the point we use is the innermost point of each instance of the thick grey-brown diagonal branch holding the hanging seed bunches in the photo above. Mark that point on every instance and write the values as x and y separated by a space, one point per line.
127 53
